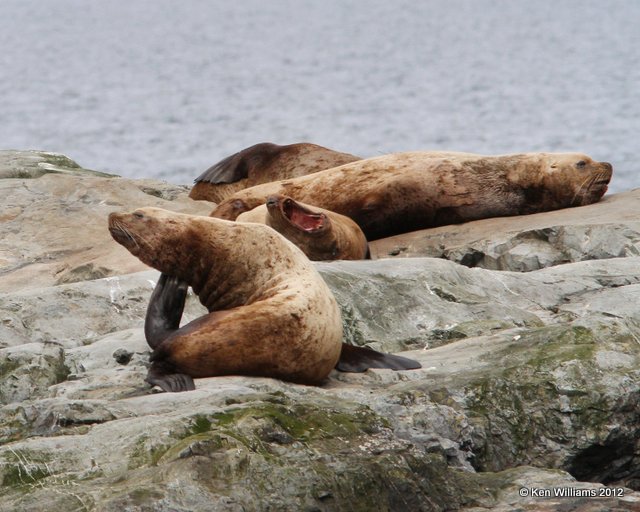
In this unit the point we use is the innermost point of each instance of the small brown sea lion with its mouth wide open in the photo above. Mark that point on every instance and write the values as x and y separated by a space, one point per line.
321 234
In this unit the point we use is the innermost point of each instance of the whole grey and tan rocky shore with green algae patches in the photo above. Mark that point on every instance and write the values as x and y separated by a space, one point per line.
530 381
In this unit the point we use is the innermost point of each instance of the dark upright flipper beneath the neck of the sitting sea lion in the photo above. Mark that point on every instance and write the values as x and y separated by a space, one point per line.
165 309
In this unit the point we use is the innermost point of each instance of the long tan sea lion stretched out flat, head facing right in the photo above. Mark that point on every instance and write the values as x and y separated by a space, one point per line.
401 192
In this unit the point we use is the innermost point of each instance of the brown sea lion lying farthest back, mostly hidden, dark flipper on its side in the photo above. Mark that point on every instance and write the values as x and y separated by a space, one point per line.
262 163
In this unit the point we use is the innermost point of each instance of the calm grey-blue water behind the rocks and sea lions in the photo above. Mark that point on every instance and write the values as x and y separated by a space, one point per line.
165 88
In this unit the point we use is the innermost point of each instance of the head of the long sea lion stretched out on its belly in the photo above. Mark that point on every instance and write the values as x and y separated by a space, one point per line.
576 179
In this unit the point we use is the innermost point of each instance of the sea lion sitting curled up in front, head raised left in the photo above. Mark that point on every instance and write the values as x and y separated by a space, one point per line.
270 312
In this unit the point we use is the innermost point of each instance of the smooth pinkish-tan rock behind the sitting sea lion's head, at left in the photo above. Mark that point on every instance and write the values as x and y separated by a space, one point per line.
54 220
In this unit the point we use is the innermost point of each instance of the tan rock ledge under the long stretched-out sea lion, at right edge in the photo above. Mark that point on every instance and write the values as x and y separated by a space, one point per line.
607 229
